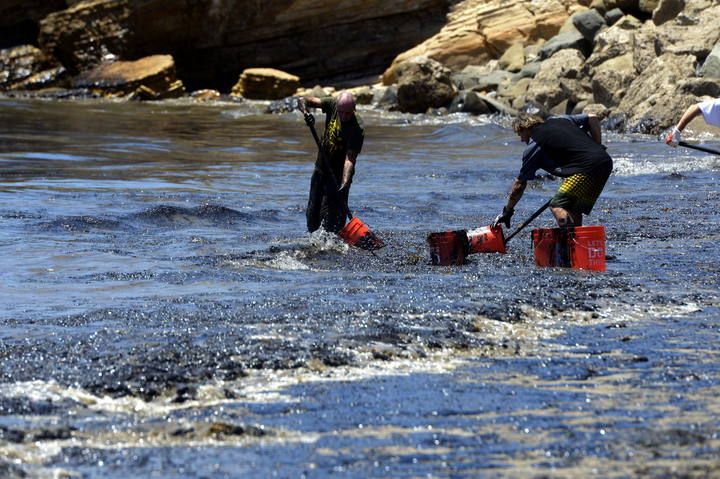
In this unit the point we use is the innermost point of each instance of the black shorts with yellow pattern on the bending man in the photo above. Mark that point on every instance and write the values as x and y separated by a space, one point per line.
579 192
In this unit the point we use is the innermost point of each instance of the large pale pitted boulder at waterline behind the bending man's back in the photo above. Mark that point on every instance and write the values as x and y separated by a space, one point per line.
654 101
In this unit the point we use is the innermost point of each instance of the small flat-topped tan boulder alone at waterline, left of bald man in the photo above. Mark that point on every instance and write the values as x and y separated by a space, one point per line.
265 84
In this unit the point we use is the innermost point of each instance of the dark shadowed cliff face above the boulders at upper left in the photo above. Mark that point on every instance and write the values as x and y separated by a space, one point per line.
213 41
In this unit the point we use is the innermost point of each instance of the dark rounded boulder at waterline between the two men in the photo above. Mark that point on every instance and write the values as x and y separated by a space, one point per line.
423 83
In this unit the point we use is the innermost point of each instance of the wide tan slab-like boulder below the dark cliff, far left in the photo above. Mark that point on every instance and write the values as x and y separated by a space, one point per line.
148 78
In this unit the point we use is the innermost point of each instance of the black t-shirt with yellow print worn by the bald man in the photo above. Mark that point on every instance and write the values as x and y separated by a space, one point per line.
339 137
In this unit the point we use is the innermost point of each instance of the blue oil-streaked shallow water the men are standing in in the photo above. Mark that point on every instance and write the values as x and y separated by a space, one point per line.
165 313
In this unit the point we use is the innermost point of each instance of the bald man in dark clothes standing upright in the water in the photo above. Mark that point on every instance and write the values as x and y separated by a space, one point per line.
341 144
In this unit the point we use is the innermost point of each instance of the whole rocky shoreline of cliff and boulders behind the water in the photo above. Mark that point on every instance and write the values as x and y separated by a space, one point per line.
636 63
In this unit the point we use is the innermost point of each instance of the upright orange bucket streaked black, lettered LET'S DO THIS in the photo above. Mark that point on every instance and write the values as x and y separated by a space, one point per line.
580 247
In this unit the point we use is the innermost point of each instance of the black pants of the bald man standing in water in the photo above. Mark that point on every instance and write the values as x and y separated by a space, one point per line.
325 205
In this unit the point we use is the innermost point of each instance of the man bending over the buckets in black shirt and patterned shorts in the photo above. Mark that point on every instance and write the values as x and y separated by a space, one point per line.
565 146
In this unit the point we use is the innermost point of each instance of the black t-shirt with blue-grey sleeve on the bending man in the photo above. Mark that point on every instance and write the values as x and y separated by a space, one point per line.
562 149
